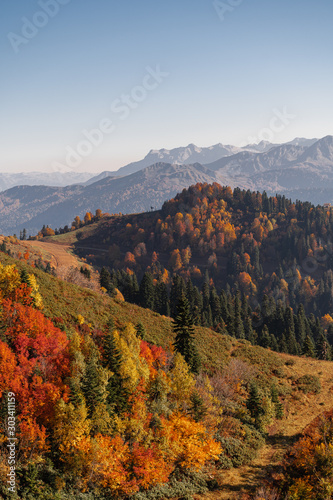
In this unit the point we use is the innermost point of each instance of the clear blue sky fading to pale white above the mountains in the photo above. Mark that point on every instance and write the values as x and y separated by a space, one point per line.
91 85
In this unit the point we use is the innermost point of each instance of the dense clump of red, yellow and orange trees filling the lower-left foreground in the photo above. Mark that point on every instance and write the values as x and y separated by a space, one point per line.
100 411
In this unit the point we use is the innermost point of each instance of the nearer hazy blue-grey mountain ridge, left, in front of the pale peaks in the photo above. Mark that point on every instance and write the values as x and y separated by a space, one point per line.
31 207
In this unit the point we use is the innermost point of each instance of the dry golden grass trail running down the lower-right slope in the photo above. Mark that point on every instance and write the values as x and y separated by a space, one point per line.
300 411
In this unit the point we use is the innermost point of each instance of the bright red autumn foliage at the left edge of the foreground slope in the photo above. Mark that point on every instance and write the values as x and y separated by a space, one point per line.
36 368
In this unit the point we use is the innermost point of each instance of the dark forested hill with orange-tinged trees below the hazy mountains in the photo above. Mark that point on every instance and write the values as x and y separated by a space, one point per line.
251 266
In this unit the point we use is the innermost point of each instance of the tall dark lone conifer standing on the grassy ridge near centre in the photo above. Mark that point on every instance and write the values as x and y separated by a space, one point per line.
183 328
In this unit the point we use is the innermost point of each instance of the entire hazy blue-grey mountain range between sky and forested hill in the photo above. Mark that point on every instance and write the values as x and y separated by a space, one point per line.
301 169
